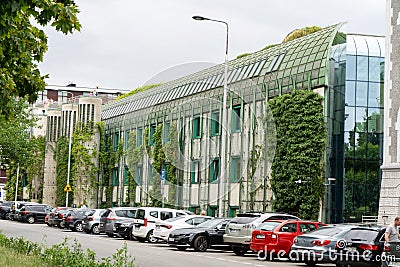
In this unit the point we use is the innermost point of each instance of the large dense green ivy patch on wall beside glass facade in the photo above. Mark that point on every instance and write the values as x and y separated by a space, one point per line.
301 136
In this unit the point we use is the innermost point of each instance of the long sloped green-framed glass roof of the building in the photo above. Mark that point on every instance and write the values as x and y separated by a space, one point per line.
301 62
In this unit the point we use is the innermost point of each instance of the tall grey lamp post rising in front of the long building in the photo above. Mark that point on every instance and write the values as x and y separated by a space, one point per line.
222 178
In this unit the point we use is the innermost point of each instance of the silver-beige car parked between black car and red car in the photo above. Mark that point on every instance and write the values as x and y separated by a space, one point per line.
238 231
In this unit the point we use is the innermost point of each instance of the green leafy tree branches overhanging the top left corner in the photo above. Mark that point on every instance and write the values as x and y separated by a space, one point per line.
22 44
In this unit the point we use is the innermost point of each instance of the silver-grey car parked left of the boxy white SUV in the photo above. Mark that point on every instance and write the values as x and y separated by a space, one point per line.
112 215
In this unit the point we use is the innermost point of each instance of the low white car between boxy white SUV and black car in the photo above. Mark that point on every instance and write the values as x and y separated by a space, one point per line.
163 229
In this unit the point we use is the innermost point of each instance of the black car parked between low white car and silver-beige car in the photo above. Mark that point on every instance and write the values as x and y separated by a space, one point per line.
201 237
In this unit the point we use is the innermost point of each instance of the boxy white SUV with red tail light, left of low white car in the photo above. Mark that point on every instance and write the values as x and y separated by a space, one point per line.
146 219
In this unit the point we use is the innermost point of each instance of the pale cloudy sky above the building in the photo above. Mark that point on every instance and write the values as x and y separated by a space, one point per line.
124 44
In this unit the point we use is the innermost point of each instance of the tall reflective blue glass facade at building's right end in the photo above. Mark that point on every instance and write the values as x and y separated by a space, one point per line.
363 125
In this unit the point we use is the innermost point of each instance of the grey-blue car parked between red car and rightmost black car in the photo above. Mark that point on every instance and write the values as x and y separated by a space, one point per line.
327 243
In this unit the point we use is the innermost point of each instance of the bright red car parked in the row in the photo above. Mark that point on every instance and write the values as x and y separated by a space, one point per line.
275 237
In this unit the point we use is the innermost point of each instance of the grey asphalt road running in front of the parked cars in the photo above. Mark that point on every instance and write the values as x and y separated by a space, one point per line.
145 254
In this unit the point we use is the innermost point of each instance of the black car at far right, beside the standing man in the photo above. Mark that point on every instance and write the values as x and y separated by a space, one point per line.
361 246
